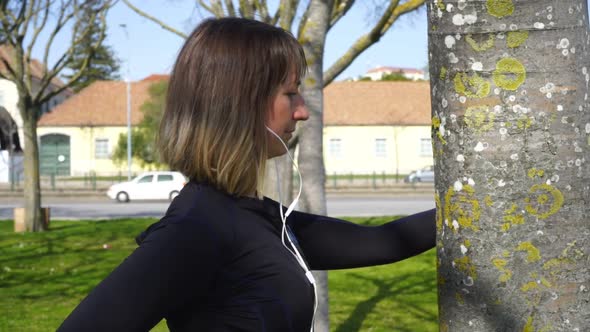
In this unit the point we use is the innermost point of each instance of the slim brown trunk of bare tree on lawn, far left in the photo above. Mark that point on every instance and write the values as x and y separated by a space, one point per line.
32 190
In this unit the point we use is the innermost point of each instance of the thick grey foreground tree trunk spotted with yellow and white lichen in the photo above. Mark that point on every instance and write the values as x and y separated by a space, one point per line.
511 136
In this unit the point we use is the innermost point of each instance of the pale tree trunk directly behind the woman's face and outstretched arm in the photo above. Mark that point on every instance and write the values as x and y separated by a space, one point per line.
311 160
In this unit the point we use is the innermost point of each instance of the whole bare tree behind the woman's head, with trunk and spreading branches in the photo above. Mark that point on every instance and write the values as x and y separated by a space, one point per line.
318 17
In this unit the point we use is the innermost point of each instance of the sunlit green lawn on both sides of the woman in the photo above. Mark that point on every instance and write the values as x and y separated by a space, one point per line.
44 276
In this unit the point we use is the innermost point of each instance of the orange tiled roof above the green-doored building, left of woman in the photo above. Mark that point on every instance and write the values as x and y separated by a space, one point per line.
103 103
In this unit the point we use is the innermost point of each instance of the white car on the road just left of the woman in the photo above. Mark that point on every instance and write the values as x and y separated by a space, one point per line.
149 185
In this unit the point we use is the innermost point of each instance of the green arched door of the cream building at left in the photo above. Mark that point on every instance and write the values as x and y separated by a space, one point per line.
54 154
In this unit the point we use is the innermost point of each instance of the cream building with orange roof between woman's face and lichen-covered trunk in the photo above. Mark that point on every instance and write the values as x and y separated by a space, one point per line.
377 127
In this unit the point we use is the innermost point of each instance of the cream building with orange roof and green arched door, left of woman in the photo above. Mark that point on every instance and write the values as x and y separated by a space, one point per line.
85 129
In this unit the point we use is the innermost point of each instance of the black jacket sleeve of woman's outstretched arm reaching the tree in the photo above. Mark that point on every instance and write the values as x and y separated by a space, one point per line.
330 243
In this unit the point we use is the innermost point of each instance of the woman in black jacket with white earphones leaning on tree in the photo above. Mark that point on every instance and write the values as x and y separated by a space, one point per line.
222 258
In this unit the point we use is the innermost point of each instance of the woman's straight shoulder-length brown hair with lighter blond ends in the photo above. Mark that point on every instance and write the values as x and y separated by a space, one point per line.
221 88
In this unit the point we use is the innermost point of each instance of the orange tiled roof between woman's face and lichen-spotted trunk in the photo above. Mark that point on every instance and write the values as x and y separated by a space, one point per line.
377 103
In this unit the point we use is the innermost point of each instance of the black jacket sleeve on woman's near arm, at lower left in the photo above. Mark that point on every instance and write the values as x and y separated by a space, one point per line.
174 264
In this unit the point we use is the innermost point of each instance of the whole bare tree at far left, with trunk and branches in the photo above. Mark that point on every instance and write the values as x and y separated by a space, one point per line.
21 24
